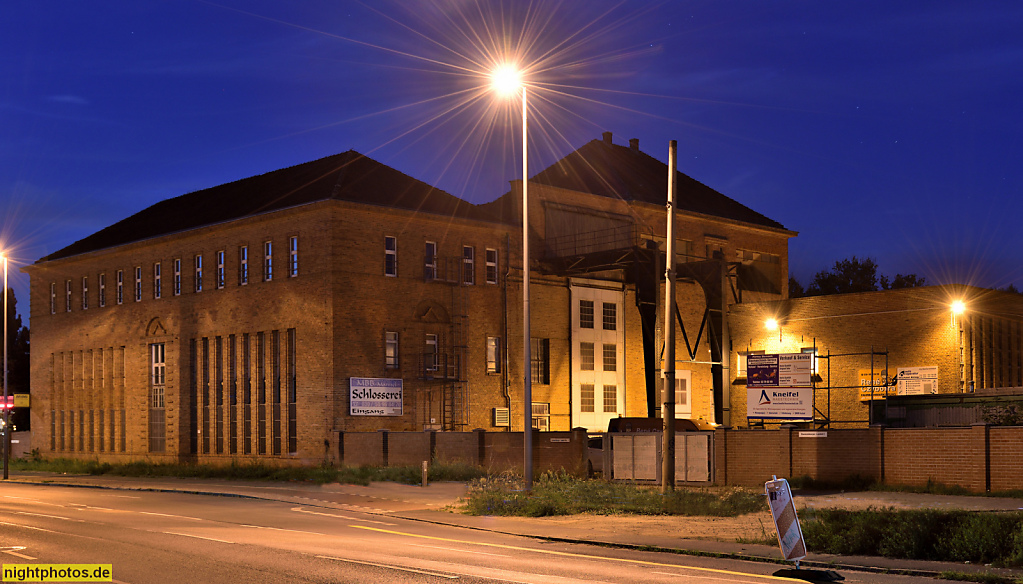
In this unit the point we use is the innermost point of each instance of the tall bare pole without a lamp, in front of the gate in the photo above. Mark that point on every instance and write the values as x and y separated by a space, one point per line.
669 390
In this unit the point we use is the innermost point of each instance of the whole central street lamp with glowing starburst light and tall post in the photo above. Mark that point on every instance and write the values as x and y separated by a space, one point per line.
507 80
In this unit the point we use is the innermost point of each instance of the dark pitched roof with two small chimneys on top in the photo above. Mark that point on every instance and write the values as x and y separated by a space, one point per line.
627 173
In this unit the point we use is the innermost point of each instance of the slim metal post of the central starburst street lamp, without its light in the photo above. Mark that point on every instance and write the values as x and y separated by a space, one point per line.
527 370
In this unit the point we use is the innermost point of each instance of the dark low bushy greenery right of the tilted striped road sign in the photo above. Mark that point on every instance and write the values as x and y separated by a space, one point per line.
925 534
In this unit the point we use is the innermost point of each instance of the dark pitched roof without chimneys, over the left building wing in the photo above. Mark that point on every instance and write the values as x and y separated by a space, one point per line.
348 176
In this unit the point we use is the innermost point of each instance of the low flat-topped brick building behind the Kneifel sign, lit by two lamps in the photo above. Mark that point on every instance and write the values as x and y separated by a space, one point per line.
875 336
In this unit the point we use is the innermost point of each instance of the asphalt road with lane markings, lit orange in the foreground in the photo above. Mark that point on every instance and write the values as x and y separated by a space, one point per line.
151 537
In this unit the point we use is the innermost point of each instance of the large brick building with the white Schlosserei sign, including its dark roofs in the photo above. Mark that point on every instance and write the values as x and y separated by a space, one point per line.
260 318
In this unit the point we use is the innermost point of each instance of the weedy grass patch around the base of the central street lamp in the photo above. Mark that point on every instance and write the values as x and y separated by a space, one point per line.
562 495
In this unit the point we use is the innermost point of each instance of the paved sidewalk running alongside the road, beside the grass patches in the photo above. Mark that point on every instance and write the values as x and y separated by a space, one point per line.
434 505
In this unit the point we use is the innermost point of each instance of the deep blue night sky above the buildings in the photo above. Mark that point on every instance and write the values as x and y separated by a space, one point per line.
889 130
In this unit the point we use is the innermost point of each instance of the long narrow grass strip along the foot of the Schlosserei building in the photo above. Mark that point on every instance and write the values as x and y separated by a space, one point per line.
254 472
